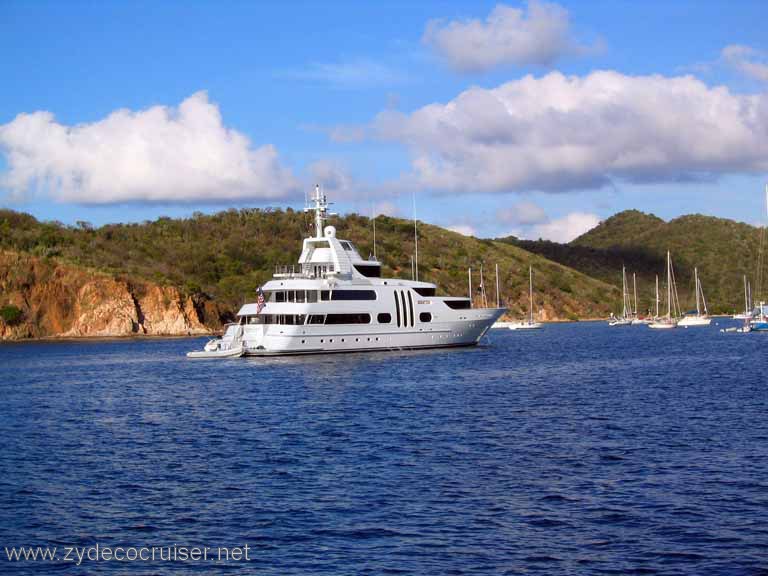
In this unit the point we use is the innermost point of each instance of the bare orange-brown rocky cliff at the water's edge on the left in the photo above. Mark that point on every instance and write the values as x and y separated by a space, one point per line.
57 299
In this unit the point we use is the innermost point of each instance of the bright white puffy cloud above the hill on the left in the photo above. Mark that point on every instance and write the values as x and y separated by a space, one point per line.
159 154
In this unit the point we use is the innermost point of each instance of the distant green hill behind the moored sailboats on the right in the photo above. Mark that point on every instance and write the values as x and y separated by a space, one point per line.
723 251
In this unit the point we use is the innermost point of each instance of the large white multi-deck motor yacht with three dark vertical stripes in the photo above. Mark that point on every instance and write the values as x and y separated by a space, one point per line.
336 301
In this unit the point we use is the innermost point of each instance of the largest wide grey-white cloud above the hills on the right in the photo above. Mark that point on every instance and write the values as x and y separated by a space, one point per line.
558 133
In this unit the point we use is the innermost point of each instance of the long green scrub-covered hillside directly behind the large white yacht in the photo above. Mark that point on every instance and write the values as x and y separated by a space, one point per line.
226 256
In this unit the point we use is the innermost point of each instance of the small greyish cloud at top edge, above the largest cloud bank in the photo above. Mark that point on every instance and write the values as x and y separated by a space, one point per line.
539 36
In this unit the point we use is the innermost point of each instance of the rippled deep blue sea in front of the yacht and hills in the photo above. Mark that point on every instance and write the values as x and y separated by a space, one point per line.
575 449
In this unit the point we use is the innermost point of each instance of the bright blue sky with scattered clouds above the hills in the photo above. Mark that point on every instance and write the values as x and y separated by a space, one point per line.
537 119
